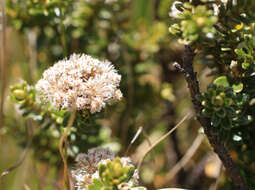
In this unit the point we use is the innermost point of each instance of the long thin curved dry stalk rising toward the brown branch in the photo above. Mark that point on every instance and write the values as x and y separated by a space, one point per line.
161 139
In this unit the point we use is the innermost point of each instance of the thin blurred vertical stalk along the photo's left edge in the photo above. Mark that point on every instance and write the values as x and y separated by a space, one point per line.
3 63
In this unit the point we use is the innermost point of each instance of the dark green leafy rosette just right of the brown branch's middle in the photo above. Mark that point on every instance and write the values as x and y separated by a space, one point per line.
225 107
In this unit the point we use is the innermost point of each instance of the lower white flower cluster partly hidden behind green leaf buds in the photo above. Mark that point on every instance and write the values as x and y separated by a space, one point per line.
87 168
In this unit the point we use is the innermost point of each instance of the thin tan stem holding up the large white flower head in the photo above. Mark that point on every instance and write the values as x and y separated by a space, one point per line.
60 146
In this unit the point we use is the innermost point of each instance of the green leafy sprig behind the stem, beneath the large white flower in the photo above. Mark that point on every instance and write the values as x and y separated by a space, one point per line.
84 134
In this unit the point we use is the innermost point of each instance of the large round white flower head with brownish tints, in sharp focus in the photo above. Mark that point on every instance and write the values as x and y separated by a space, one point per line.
81 80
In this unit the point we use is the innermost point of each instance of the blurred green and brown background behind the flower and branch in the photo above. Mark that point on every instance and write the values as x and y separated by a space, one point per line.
134 36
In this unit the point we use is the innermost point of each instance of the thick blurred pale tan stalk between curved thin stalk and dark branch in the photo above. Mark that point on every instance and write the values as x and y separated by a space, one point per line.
185 159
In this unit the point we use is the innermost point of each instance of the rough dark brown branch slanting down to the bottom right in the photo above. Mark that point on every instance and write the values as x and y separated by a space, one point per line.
214 140
